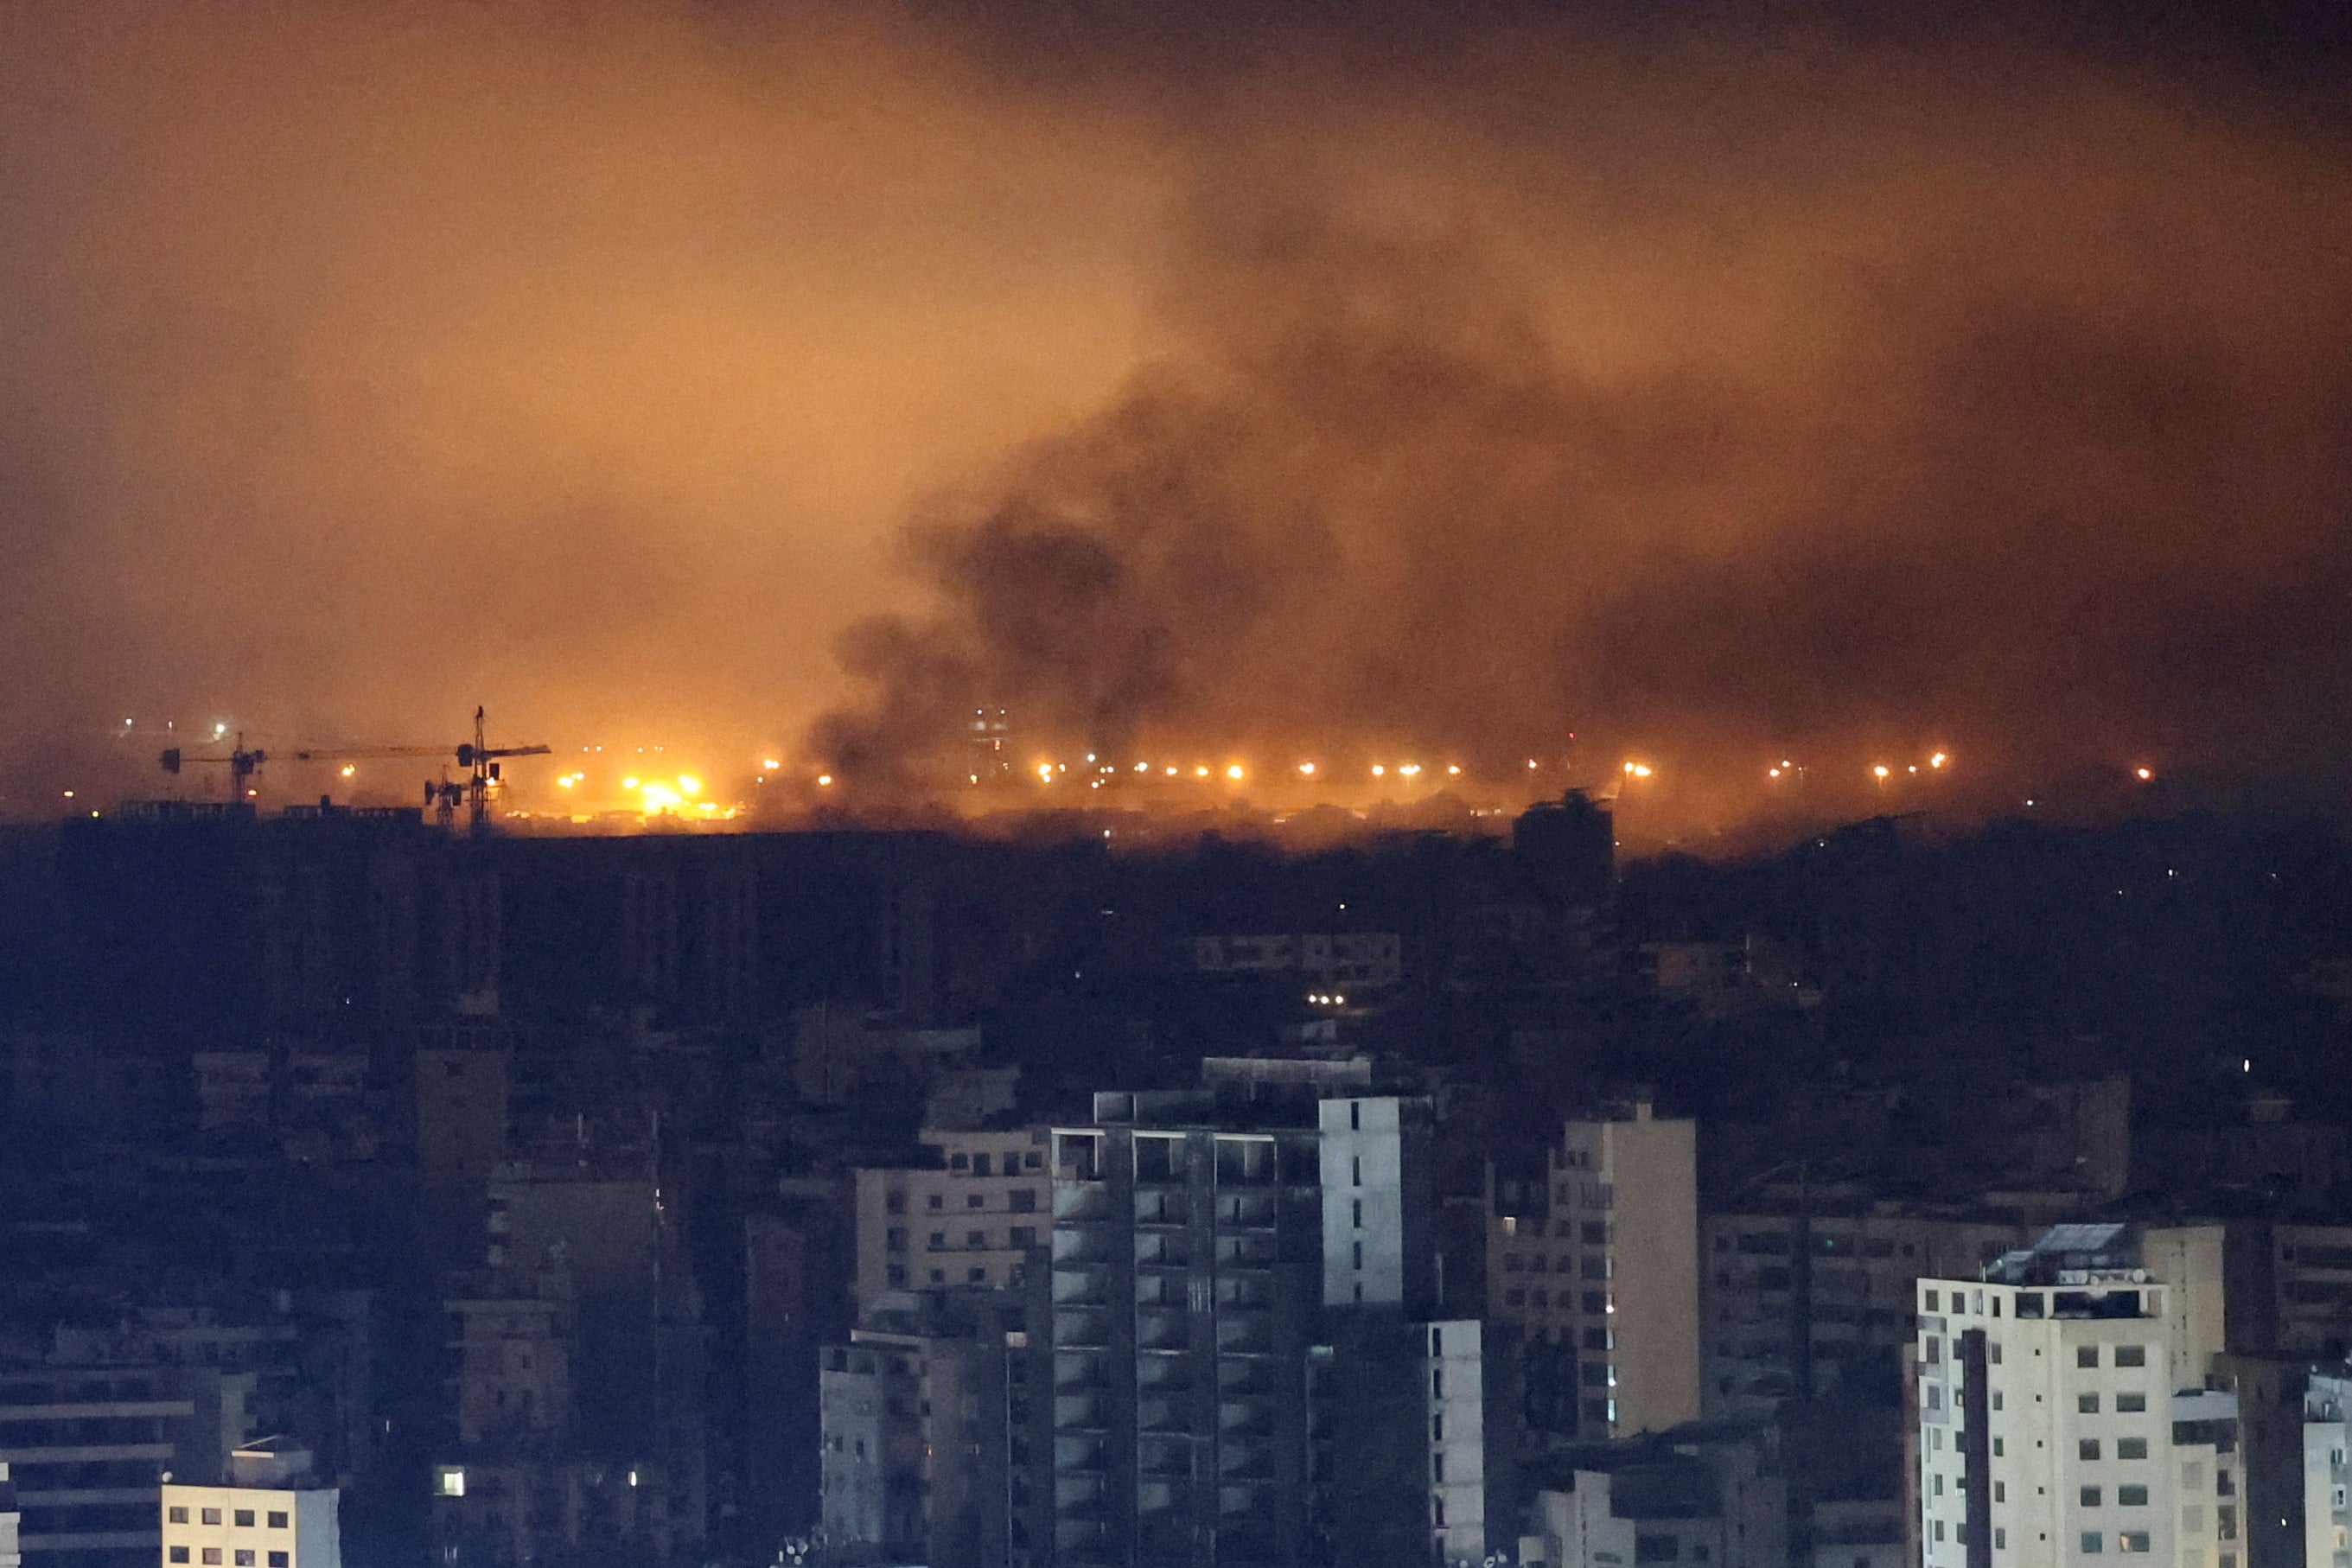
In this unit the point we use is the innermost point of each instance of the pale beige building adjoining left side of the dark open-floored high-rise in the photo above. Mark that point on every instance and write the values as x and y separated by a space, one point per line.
965 1221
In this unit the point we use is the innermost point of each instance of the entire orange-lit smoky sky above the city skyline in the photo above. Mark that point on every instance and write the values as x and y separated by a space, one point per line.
1709 394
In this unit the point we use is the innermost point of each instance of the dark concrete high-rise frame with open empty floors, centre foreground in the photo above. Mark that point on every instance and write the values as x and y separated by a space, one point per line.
1184 1299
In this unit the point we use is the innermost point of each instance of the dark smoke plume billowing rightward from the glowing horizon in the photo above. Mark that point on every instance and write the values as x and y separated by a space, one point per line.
1852 417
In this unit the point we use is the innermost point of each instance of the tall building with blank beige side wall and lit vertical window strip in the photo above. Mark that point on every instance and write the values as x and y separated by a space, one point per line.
1598 1266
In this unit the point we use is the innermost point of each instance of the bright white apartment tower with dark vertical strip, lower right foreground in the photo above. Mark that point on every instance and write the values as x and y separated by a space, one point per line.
2050 1433
